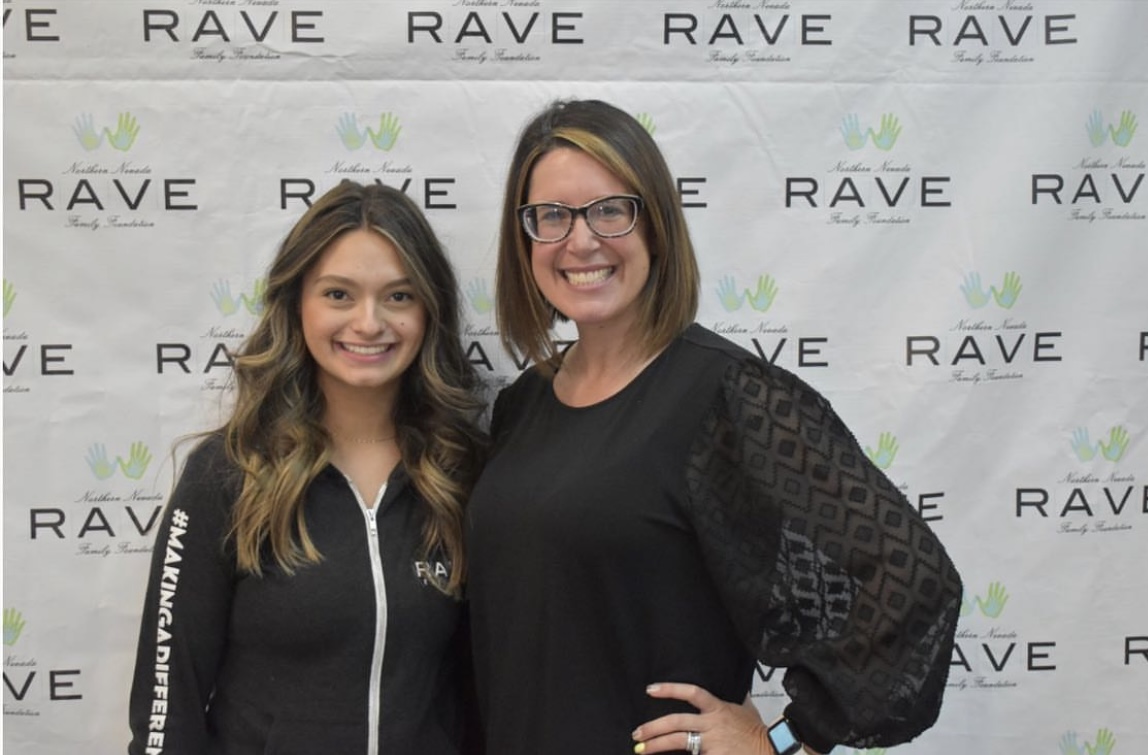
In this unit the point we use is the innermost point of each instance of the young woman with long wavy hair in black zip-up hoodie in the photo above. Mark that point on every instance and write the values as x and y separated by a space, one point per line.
305 589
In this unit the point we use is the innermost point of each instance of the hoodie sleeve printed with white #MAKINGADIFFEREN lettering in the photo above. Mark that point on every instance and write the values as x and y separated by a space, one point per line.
184 625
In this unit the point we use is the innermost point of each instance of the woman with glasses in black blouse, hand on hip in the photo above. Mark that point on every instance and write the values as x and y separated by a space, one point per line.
663 510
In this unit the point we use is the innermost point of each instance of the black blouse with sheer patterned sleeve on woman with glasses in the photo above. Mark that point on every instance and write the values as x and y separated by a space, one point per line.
713 513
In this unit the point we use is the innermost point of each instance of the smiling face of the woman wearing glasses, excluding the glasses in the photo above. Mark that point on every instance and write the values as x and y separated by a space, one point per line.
594 282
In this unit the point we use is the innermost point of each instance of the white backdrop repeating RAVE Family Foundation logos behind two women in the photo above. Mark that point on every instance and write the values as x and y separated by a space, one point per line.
934 212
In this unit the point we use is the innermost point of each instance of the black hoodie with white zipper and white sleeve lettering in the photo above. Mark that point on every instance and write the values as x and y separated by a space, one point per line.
359 653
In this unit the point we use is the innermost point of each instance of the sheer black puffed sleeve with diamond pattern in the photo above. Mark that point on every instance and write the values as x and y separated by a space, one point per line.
825 567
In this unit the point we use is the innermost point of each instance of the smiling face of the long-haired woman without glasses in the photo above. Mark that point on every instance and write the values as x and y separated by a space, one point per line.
362 321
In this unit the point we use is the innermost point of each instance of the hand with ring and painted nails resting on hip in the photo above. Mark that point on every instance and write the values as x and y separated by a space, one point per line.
726 728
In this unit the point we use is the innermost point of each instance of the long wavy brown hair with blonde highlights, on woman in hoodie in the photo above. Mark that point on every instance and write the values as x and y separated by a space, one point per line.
276 434
